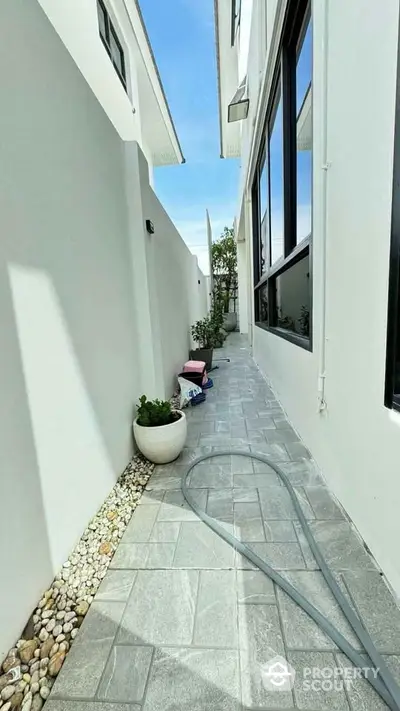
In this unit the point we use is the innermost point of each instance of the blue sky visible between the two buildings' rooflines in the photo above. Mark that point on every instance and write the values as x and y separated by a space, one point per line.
183 41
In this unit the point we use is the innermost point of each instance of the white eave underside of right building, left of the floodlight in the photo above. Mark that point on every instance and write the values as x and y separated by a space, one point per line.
227 71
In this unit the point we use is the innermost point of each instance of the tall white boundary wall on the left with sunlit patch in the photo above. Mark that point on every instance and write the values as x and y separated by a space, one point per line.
76 297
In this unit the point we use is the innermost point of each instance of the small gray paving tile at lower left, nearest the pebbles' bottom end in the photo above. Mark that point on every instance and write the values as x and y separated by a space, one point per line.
125 675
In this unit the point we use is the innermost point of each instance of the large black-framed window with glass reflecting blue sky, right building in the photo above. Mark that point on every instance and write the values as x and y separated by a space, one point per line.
282 189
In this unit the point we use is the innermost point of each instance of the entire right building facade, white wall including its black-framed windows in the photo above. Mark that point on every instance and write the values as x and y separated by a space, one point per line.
318 233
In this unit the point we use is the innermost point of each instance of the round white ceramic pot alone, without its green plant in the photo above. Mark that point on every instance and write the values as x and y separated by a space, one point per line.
161 444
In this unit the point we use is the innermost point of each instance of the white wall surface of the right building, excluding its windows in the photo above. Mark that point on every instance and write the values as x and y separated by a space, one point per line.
356 441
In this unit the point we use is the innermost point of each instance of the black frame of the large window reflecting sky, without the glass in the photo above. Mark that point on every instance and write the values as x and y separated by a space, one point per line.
298 16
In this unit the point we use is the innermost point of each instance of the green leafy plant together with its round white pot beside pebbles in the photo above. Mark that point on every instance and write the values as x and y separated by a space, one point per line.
160 431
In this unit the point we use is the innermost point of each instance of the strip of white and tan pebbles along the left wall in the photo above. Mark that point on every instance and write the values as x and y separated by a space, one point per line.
30 668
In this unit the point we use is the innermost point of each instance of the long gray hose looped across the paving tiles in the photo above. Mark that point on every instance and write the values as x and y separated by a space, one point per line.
384 683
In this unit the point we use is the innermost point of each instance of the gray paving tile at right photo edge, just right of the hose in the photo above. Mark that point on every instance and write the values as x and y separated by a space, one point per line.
377 608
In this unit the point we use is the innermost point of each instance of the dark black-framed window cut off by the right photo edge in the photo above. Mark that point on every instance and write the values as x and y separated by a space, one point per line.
392 384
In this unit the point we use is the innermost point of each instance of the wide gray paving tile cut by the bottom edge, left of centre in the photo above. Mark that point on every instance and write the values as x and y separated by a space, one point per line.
195 679
